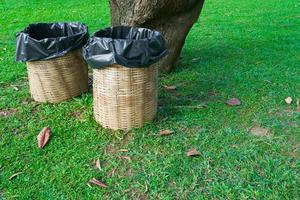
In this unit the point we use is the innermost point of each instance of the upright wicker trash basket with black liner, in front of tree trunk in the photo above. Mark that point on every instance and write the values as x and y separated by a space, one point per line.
125 96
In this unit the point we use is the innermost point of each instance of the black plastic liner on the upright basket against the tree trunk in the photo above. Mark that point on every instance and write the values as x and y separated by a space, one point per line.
127 46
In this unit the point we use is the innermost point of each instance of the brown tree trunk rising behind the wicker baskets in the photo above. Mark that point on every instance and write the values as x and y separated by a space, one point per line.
173 18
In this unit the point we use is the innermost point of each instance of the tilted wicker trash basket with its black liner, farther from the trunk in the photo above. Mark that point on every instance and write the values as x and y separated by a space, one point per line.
56 68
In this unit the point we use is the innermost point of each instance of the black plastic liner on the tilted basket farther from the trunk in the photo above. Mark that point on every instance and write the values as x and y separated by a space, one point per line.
44 41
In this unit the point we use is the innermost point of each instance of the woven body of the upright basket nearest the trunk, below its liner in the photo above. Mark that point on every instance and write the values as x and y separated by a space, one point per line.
125 98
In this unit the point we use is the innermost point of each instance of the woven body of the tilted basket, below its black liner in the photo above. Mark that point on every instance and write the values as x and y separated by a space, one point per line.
58 79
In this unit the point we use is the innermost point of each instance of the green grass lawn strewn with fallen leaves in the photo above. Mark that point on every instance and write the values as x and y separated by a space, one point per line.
244 49
